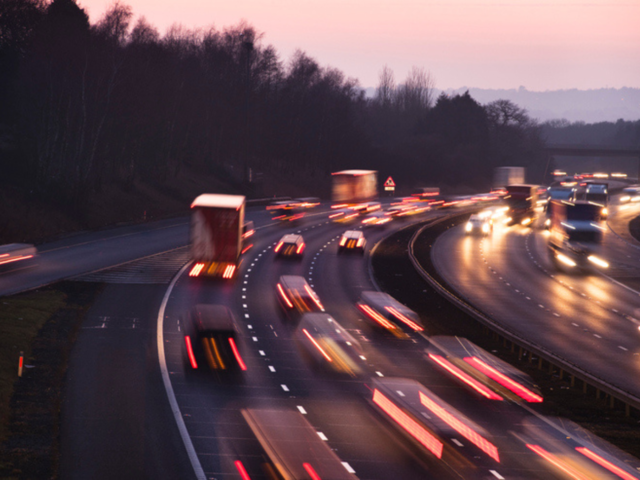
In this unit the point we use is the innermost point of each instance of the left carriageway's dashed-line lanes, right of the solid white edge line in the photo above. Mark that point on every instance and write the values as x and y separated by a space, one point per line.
278 376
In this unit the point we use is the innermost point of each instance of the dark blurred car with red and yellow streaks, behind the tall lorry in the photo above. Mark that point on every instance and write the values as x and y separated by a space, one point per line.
211 333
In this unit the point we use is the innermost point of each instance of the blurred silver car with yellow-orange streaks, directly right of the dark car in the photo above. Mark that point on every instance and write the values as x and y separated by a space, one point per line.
329 345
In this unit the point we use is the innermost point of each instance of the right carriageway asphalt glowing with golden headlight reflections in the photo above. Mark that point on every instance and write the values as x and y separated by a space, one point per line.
509 276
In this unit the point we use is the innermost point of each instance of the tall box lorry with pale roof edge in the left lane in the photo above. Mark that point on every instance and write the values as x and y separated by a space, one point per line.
216 235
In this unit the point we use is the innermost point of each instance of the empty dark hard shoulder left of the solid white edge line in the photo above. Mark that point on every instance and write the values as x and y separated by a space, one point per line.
112 424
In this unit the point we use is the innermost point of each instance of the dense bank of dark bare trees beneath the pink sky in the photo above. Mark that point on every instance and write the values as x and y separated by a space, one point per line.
84 107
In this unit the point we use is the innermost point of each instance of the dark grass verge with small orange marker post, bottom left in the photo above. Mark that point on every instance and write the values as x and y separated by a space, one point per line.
43 324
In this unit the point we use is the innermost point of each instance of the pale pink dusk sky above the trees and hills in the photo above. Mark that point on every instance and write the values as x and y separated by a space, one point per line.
538 44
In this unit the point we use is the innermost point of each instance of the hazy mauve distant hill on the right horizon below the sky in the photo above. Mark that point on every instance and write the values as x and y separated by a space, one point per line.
590 106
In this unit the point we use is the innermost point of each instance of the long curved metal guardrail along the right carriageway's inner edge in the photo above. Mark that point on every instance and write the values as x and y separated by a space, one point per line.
627 398
